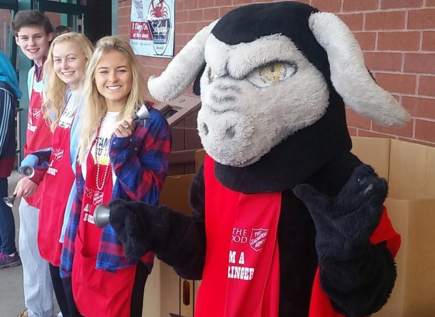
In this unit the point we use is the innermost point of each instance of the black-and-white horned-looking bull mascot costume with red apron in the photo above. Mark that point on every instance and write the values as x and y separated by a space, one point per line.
286 221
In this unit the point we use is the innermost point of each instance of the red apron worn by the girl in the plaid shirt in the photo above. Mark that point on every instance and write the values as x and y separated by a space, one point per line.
98 292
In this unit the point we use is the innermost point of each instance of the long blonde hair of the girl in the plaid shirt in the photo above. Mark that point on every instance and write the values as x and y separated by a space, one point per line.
95 103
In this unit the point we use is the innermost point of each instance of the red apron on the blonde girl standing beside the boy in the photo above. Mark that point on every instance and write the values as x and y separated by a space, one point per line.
56 189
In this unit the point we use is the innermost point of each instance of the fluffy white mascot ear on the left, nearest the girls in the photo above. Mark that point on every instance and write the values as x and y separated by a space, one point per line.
182 70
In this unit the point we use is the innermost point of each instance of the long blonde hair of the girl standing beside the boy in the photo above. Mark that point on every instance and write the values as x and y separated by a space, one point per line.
54 97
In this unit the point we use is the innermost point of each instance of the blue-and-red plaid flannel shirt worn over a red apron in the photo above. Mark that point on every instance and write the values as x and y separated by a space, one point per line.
140 163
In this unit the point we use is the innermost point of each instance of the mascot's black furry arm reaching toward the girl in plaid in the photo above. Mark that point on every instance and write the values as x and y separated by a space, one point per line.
176 239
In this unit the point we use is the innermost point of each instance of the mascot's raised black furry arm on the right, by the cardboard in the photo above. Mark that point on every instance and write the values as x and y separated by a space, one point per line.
358 276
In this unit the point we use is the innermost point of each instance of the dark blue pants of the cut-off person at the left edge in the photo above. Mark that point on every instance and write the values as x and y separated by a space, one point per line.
7 223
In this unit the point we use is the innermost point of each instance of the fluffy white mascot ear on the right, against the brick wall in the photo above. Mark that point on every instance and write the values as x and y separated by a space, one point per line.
349 75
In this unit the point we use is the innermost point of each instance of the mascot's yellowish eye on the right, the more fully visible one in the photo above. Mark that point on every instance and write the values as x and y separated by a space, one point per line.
270 74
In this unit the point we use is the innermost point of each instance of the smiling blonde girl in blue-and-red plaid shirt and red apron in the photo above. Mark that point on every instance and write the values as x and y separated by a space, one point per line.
118 158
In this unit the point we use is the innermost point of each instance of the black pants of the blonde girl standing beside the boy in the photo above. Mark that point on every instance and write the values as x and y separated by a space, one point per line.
63 291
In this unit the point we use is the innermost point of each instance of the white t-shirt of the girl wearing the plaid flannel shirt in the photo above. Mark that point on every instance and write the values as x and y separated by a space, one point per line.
103 142
